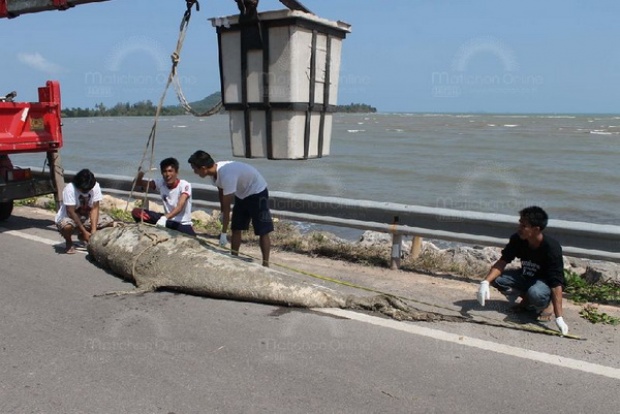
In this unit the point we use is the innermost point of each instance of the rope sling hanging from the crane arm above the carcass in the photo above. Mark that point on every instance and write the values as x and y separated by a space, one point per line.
174 80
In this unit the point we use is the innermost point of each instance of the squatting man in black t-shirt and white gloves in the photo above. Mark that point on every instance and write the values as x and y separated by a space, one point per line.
540 281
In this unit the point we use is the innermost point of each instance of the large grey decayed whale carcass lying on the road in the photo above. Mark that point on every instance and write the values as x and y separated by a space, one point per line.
157 258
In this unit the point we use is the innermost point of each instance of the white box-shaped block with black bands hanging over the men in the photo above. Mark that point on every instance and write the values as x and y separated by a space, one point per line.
279 79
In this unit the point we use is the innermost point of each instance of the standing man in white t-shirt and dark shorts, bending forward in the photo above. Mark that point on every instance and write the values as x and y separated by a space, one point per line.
243 185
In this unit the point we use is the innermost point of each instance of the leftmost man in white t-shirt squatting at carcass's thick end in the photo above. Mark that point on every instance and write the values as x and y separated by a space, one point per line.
80 208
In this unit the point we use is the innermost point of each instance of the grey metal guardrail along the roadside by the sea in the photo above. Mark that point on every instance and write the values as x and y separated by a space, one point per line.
578 239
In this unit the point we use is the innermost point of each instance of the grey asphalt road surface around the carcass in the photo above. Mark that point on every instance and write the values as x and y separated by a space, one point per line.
66 350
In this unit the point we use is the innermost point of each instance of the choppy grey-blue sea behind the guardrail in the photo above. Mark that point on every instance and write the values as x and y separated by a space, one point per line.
567 164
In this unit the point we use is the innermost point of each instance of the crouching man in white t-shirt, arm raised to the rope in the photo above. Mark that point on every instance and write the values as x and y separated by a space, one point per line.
176 197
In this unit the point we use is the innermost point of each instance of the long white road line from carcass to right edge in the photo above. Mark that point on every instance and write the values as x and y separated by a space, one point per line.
478 343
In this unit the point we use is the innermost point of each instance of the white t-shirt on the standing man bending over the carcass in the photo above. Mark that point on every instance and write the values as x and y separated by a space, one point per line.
238 178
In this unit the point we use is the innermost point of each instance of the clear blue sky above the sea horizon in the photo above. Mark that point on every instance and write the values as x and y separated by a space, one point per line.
430 56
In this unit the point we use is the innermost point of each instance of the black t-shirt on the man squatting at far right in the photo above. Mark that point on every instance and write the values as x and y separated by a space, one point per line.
544 263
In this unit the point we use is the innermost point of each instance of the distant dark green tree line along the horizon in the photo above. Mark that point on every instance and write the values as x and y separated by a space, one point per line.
147 108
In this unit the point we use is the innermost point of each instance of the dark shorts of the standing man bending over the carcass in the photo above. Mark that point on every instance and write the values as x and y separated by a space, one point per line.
253 208
